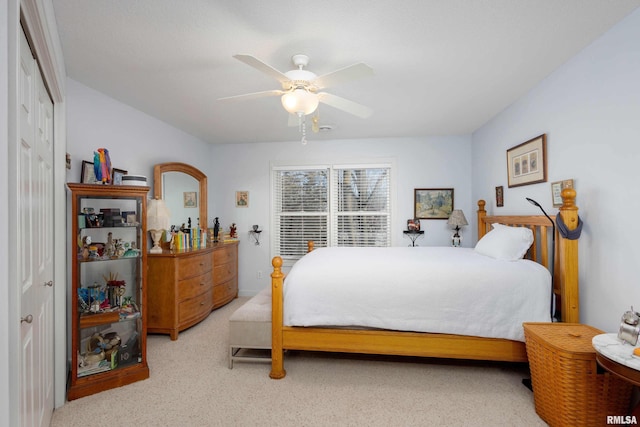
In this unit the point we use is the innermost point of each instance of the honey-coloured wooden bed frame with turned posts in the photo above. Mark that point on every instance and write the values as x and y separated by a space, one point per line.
439 345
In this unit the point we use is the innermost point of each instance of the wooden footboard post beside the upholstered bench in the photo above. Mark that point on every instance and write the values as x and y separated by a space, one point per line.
277 356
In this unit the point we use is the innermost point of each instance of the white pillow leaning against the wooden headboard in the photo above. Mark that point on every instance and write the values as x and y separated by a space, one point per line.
505 243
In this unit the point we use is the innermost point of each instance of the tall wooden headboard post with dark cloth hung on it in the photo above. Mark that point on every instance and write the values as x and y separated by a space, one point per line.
569 302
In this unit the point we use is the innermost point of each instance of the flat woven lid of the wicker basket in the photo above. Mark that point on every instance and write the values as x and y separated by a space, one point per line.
567 337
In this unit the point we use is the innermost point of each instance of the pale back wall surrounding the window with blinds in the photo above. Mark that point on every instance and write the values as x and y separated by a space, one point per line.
430 162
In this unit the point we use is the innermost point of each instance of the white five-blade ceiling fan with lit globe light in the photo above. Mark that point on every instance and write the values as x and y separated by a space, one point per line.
301 89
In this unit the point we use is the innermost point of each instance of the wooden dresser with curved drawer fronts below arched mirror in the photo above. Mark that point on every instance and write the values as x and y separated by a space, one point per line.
183 287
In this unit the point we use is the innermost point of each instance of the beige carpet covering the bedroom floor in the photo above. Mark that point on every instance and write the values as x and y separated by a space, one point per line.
191 385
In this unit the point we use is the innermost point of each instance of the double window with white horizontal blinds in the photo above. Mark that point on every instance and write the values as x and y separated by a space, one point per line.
331 205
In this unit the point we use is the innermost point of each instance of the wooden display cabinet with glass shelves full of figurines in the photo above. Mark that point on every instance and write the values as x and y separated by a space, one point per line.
108 327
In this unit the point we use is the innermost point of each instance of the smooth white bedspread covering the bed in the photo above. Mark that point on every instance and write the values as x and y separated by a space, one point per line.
424 289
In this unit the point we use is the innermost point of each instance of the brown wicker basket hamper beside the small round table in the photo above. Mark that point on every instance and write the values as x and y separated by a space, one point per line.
569 389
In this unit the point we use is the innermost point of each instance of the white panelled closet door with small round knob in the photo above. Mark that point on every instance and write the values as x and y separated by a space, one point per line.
34 201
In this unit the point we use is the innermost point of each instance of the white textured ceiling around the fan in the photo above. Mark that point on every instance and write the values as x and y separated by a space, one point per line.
441 67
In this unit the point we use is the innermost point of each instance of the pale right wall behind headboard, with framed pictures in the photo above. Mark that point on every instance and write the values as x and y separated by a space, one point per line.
590 111
